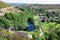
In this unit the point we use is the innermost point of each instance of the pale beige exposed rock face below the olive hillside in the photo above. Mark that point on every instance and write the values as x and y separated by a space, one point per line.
8 9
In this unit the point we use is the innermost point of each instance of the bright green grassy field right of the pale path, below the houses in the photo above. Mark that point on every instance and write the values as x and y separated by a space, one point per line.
49 26
